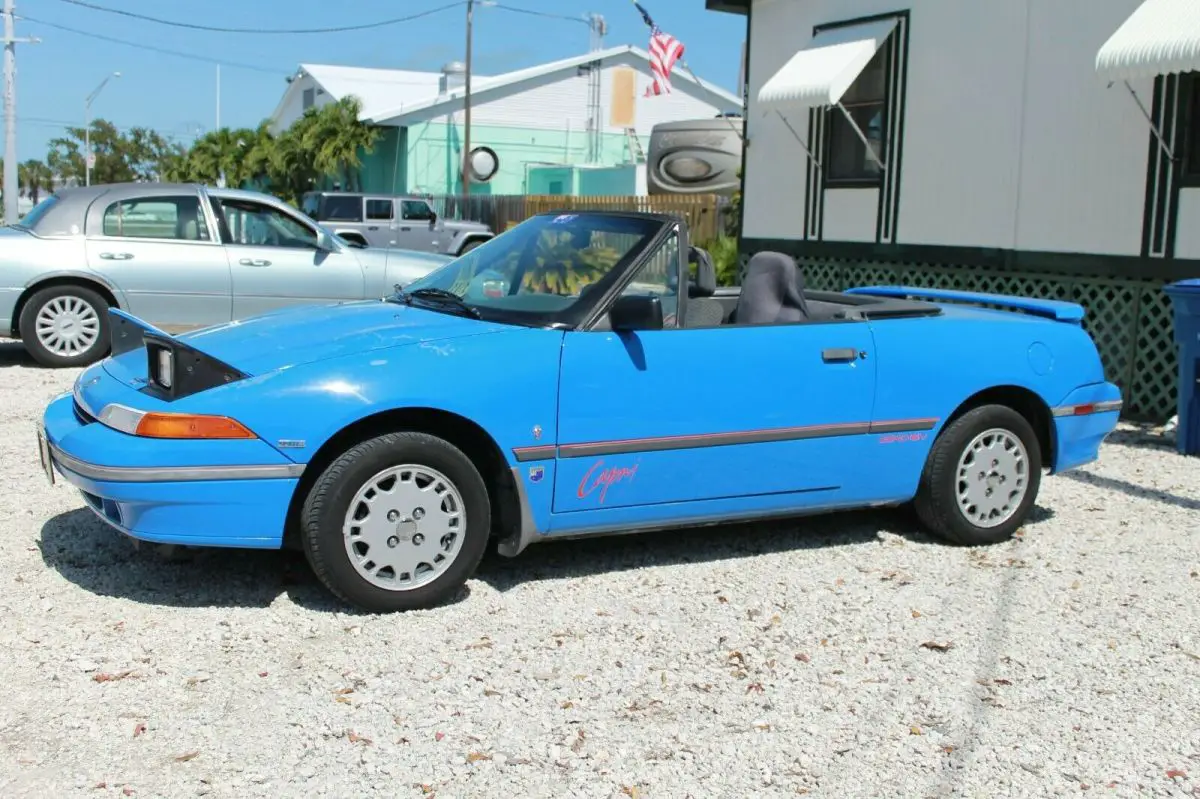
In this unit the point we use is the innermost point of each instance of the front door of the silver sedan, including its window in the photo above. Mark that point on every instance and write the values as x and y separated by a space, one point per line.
275 261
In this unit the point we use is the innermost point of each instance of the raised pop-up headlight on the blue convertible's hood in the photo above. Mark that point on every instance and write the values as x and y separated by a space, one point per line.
188 370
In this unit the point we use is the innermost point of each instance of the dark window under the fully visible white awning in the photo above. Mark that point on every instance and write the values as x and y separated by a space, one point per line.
848 163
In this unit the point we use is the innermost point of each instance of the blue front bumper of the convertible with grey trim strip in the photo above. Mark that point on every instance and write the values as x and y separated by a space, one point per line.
236 495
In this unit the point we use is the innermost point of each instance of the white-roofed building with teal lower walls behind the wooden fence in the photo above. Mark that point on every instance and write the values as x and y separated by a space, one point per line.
579 125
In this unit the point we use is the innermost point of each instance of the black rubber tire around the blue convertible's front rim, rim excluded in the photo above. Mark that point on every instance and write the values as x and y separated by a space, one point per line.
328 501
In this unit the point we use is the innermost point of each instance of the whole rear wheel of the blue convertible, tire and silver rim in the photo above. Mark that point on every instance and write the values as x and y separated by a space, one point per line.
982 478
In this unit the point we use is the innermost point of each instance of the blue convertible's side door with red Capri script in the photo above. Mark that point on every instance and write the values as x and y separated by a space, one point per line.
683 419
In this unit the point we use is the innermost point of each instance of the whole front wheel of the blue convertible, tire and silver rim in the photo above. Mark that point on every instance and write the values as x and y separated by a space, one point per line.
399 522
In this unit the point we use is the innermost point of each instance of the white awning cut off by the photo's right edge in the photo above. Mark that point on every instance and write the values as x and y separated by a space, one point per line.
1161 38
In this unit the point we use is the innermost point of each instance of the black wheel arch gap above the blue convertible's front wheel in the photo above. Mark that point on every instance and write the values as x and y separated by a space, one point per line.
460 431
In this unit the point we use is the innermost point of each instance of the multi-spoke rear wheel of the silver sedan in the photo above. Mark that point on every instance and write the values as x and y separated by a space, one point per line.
65 326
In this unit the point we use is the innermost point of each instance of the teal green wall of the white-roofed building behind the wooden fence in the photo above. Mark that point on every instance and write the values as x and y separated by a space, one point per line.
434 152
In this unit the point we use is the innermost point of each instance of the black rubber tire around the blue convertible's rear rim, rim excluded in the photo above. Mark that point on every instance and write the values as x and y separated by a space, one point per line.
940 507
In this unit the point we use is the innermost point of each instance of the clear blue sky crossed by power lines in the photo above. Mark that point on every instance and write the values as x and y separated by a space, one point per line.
177 97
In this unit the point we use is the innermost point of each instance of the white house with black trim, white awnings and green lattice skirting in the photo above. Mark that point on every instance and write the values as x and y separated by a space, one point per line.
1048 147
